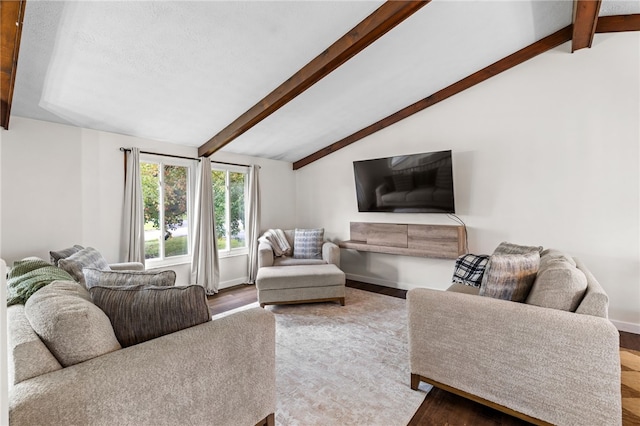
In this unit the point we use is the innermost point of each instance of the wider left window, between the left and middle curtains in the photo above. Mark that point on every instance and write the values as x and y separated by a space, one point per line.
165 191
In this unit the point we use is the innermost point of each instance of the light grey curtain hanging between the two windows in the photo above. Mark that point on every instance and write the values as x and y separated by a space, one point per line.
204 261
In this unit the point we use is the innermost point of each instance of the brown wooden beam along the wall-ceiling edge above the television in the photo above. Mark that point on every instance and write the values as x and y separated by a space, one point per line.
547 43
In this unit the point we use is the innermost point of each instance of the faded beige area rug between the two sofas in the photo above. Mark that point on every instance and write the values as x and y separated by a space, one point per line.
344 365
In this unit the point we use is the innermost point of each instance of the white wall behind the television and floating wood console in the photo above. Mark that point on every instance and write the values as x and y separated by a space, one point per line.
546 153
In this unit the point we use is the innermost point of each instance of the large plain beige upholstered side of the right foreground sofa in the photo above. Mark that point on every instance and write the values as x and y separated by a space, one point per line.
554 365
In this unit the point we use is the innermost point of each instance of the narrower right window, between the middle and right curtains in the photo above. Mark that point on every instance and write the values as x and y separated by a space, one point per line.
229 195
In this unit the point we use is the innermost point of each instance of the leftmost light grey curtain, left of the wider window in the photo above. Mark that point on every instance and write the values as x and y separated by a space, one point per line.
132 239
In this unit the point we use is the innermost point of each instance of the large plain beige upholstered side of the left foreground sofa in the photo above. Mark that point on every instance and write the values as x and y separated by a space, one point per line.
219 372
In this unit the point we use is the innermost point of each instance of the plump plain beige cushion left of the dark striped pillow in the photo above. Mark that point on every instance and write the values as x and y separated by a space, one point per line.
72 327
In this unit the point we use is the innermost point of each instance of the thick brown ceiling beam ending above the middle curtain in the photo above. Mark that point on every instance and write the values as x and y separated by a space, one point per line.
381 21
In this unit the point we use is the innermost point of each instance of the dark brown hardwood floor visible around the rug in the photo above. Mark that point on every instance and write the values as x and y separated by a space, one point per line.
439 407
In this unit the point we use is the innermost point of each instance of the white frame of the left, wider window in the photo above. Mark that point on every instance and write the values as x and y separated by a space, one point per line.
191 173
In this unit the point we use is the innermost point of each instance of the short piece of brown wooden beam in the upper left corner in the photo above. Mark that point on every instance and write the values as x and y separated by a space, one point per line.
11 18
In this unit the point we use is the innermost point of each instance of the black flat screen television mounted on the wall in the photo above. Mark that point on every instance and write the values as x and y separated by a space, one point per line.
416 183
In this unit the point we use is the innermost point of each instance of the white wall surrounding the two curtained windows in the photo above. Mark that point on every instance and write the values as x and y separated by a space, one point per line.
63 185
